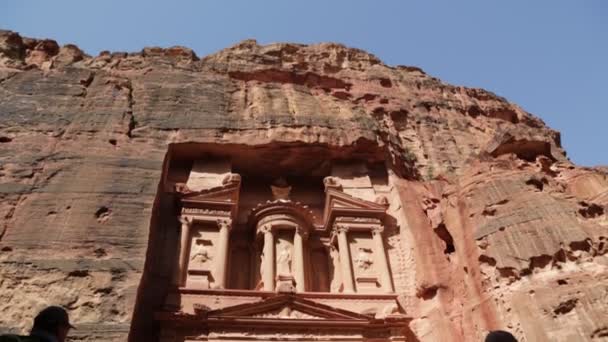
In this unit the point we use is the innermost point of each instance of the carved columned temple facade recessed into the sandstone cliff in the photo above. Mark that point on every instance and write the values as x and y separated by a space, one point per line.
262 259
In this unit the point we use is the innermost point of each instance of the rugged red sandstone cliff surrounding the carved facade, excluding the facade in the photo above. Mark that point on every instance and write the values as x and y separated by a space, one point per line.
497 228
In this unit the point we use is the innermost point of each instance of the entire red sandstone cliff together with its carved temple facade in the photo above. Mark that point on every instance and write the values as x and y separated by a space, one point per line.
286 192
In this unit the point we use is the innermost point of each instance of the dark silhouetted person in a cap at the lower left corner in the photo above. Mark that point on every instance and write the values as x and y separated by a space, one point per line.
52 324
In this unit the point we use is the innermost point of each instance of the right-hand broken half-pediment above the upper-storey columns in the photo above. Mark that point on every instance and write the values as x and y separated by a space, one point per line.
338 203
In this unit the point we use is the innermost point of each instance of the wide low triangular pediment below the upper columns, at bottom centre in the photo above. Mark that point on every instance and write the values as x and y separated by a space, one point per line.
287 307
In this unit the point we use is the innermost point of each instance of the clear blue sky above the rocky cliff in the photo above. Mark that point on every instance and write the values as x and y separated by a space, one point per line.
548 56
